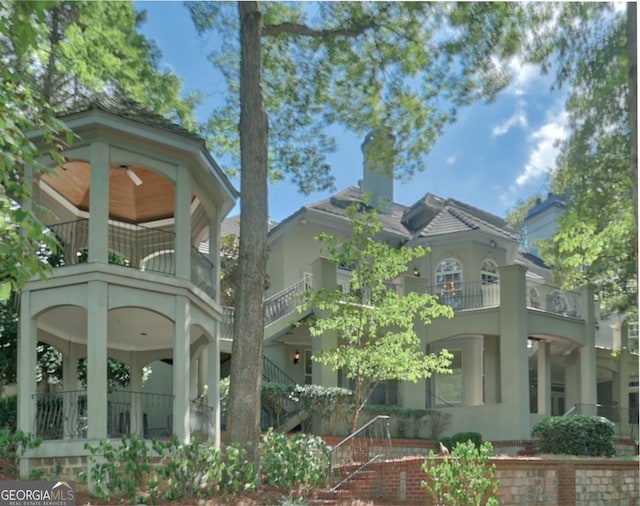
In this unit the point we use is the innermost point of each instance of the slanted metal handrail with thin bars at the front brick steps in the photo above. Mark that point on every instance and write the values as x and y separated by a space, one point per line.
357 451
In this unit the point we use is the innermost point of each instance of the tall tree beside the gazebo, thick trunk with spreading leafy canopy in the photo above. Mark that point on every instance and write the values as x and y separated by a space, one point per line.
298 67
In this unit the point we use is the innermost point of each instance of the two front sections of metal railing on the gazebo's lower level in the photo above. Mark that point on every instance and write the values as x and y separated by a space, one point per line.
63 415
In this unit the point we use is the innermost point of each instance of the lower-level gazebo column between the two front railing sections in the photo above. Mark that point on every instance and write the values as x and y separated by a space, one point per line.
97 359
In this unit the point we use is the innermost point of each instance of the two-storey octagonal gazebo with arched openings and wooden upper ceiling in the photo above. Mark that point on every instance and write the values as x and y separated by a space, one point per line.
135 197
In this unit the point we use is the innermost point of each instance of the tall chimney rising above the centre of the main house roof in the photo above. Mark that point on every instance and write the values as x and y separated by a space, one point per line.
377 149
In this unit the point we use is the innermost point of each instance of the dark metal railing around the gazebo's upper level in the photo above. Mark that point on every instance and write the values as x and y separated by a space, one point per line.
135 246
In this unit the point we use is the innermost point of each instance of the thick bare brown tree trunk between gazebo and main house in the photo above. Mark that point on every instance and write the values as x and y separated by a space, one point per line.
243 424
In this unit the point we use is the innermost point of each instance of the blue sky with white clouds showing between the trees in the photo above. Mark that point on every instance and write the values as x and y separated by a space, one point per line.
493 156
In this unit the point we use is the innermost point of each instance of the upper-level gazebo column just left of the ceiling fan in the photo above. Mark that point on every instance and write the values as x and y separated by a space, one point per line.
99 203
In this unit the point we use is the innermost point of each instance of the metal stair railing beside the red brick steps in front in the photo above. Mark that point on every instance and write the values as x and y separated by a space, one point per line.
370 443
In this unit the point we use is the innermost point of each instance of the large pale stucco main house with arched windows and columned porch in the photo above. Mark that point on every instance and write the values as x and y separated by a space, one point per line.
523 348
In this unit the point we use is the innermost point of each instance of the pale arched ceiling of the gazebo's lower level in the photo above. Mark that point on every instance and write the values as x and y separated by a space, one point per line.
132 329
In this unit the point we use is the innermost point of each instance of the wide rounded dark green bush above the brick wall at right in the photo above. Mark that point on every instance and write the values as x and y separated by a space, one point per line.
583 435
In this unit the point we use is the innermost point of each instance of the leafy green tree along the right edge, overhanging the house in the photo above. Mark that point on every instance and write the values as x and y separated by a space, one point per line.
596 242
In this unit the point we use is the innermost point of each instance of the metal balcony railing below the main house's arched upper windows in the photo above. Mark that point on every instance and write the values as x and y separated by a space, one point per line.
467 295
